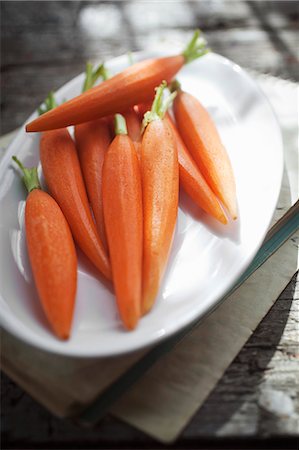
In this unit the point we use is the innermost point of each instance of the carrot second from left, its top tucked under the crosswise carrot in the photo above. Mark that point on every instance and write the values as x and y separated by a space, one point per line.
64 179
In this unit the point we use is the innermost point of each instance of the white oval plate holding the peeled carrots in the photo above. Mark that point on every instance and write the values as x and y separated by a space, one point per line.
206 258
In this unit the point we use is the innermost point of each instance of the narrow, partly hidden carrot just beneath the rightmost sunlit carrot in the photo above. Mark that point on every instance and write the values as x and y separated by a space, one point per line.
192 180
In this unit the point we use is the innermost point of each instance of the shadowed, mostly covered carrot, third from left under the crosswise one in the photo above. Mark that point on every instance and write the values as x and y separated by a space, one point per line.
92 141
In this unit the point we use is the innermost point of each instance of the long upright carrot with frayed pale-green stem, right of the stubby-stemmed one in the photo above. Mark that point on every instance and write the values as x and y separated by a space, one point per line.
160 186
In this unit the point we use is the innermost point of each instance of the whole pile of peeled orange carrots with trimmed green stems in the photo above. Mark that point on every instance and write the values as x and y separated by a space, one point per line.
114 190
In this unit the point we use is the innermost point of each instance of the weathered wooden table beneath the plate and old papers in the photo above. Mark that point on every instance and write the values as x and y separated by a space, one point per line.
44 44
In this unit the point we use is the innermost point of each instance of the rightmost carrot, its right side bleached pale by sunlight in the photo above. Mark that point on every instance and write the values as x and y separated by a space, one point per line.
203 141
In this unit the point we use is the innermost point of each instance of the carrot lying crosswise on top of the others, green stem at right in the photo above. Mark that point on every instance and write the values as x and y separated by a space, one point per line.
132 86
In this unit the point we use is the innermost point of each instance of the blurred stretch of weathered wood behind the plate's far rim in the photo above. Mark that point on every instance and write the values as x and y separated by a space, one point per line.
45 44
